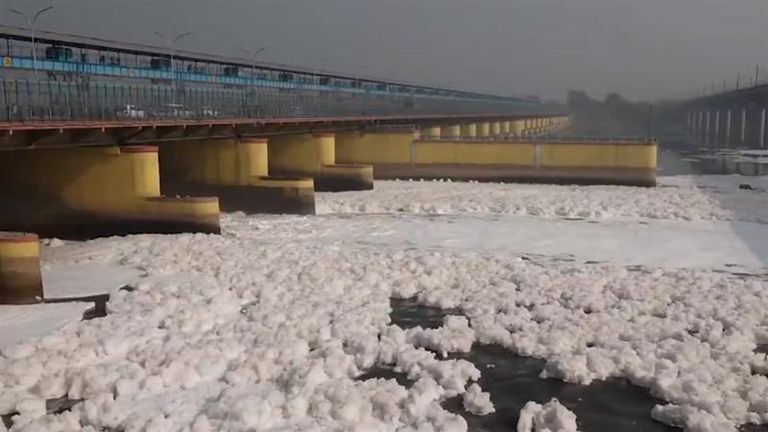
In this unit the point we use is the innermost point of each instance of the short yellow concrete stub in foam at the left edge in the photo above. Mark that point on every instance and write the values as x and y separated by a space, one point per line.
20 280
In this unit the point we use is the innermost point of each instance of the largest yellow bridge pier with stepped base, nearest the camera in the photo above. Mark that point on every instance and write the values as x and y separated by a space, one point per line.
91 192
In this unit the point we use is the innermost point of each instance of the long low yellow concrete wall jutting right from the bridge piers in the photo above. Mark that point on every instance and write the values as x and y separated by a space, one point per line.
567 162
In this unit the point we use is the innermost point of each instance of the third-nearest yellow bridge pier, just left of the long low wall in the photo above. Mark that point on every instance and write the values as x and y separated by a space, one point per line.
314 155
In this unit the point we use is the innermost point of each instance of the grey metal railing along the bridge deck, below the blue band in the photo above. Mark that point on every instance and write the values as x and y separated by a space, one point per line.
26 100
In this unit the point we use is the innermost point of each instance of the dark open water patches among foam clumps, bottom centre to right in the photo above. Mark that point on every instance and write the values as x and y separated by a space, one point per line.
513 380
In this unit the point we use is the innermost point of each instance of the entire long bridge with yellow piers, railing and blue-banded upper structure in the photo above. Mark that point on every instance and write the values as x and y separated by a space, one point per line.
104 138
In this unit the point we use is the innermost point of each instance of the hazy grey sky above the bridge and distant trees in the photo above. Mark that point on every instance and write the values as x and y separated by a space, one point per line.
643 49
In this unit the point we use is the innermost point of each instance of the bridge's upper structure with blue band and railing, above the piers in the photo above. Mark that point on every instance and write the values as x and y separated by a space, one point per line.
95 79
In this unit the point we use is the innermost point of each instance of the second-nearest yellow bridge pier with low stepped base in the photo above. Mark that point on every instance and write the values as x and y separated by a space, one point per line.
235 170
